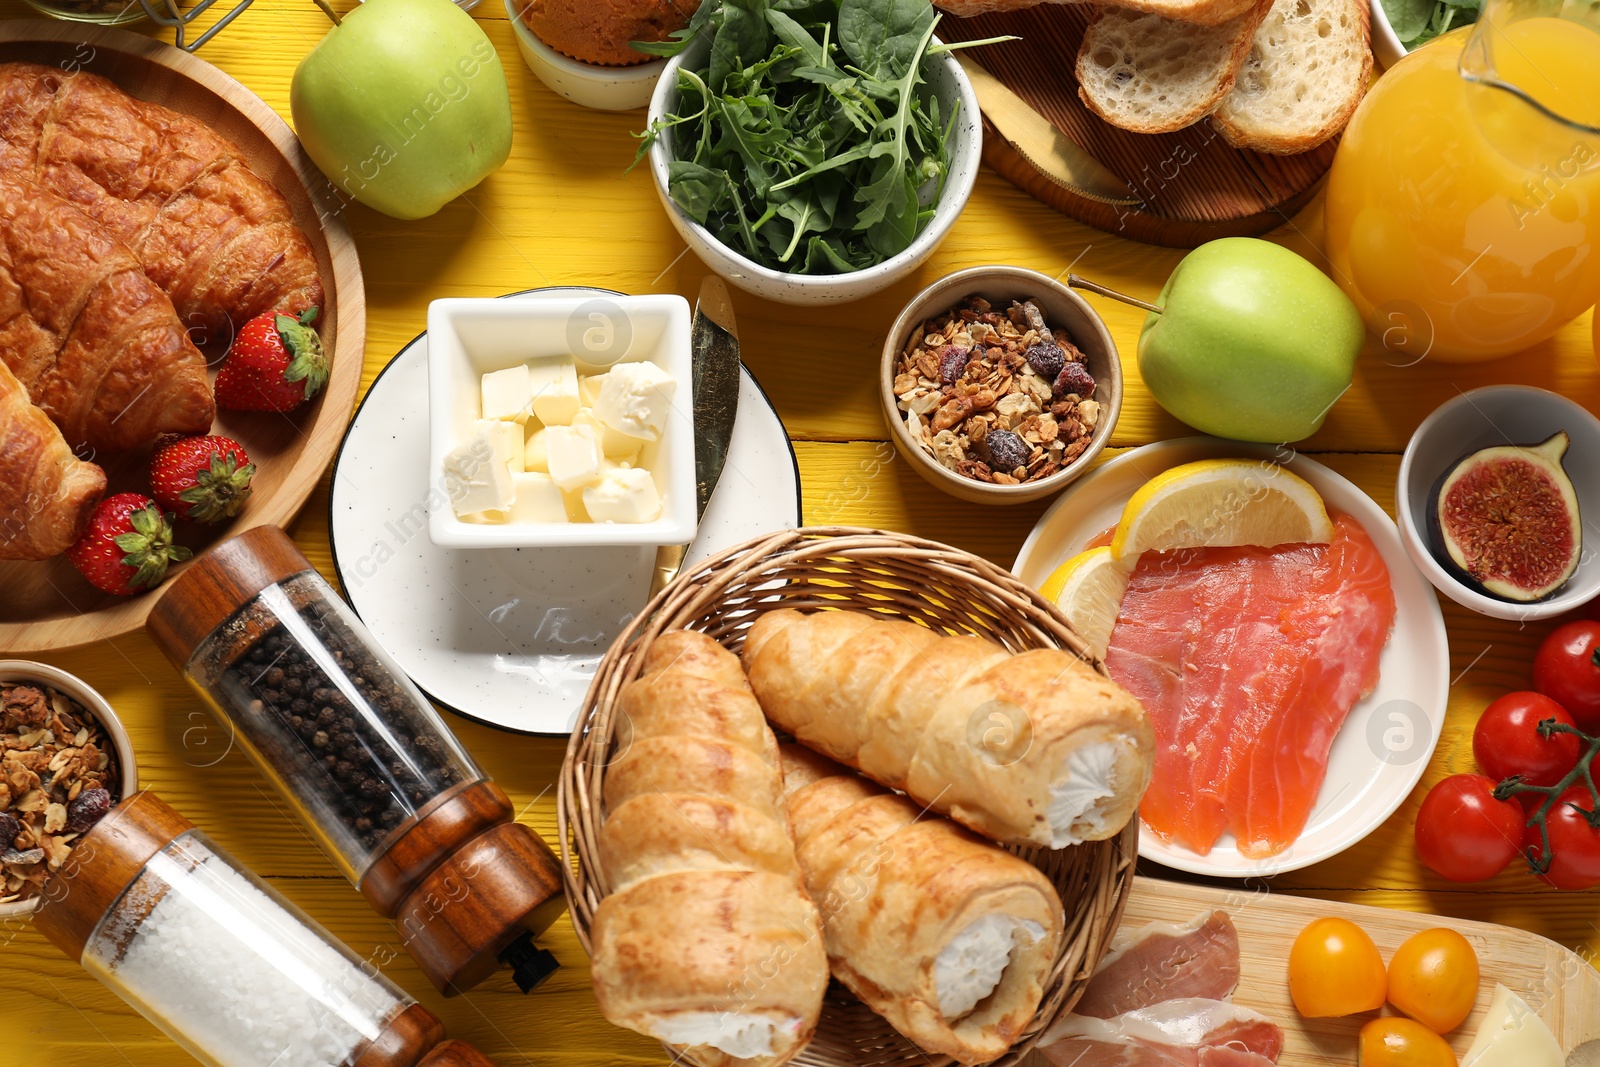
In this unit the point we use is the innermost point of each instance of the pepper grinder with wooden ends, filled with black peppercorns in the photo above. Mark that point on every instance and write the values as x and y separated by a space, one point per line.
364 759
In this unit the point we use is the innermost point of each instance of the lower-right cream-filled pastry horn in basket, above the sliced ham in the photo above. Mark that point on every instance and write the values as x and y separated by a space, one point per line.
945 935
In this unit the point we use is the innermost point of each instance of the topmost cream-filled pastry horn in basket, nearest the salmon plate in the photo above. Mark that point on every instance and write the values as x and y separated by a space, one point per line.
1028 749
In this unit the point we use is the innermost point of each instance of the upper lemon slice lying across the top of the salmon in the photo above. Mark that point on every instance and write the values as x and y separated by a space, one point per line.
1222 503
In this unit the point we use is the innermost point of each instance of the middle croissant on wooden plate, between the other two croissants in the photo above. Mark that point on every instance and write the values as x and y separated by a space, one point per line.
87 334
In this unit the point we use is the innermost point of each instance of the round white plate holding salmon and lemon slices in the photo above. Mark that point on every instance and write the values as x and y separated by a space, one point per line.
1385 746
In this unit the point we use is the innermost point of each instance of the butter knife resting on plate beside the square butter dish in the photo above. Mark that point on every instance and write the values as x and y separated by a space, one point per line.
714 343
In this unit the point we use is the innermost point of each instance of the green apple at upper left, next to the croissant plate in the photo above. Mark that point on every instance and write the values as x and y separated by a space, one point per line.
404 106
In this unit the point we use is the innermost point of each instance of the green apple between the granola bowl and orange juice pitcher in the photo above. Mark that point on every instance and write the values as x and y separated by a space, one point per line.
1252 343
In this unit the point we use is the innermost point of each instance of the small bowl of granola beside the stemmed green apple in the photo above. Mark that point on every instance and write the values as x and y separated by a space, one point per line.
1001 385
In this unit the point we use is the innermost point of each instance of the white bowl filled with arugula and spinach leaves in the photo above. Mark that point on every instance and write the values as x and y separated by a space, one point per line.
833 166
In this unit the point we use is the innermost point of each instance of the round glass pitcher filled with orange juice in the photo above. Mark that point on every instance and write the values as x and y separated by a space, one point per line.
1465 201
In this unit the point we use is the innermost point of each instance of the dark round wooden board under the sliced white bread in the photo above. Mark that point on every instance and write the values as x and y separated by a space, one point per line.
1193 186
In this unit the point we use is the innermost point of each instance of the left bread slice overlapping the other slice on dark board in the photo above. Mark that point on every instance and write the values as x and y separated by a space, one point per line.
1151 74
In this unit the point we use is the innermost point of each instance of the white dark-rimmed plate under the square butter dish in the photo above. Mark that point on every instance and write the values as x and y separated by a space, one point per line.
511 637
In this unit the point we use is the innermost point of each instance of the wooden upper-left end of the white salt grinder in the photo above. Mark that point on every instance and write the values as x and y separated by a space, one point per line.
105 863
